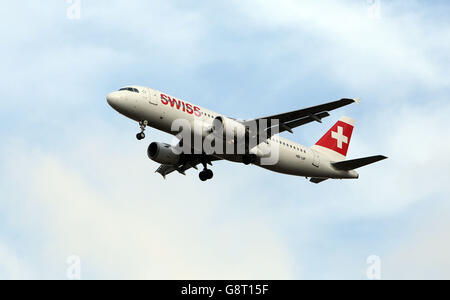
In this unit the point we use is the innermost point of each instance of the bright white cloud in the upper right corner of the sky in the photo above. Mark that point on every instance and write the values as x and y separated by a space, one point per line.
368 55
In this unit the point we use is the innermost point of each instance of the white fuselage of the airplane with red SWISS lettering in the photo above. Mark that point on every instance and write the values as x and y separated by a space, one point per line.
154 107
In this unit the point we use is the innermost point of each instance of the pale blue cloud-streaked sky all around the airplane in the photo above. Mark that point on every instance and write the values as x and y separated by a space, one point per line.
74 181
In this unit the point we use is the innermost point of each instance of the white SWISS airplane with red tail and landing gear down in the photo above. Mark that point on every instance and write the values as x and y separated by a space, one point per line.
324 160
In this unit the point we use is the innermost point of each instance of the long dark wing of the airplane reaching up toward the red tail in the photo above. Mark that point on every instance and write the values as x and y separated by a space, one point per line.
290 120
